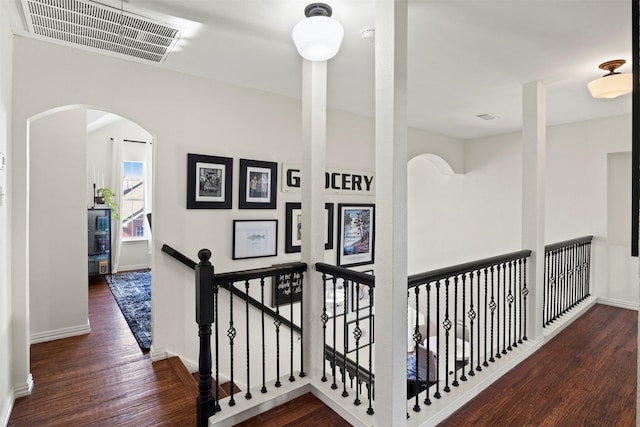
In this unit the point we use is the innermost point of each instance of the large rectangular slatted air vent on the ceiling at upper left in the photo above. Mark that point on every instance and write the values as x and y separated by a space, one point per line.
100 27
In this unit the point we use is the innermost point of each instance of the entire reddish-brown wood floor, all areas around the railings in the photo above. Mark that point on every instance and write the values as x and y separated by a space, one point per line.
586 376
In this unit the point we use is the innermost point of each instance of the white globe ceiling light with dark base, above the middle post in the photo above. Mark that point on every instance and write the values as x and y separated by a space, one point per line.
318 37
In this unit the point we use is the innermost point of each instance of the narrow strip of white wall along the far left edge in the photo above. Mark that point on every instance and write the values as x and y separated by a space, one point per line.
6 54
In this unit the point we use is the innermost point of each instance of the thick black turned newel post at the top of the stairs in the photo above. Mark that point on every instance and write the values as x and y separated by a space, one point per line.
204 317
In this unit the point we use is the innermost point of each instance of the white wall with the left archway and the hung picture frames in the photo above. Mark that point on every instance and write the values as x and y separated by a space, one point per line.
185 115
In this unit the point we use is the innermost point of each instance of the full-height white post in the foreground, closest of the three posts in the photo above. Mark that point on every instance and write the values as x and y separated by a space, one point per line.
391 213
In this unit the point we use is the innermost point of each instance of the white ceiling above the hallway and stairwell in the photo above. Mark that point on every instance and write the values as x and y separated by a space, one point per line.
465 57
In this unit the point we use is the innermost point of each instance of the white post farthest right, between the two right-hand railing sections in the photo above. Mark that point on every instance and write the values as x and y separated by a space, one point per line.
533 197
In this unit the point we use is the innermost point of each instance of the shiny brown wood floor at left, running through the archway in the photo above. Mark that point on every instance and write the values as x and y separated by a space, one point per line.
104 379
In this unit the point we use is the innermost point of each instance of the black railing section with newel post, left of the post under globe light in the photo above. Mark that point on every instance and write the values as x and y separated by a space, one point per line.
208 314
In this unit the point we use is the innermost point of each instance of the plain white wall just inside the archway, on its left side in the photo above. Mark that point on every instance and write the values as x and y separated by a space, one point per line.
58 226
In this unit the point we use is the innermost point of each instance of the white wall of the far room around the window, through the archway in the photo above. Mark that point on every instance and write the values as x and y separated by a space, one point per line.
134 255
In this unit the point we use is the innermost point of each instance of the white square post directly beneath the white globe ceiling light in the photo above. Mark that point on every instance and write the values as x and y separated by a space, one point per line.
314 118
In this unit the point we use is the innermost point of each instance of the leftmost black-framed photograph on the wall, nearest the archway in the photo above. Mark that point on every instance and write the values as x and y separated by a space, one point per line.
209 182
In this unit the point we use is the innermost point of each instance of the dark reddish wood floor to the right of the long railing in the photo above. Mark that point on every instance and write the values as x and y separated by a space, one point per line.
585 376
